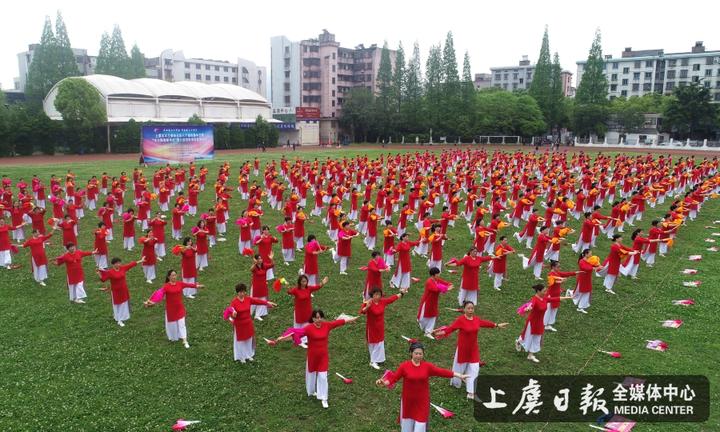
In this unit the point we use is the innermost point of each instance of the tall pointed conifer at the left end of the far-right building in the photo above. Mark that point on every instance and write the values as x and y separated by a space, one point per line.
591 102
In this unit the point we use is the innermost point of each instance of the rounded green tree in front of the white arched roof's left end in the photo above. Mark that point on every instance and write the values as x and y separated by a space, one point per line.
82 110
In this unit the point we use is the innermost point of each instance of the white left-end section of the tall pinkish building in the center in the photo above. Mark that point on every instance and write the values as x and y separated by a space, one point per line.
285 72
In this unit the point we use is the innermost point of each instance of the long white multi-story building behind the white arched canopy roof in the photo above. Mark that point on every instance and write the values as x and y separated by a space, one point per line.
173 66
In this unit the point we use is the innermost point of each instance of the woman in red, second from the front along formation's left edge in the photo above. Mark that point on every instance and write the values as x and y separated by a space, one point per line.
318 359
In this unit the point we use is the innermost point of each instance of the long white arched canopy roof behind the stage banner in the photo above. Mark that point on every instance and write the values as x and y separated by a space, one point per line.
147 99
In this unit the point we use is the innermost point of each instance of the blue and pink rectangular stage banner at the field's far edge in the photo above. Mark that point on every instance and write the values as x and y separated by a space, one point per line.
177 144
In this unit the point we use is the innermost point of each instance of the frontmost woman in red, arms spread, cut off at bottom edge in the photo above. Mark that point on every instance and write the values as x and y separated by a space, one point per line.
415 399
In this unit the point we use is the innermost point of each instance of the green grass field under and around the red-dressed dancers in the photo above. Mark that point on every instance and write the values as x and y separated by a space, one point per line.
71 368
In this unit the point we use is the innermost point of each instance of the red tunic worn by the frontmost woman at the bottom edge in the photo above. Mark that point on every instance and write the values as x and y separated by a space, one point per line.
415 398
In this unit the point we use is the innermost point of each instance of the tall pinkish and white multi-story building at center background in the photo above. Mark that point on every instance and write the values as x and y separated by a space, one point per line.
318 73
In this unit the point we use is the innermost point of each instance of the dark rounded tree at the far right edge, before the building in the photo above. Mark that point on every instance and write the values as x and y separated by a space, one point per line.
690 113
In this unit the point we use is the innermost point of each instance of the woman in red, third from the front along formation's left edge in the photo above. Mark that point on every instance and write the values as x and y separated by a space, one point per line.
243 329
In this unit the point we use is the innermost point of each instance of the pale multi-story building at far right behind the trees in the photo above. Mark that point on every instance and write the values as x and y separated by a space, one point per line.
637 73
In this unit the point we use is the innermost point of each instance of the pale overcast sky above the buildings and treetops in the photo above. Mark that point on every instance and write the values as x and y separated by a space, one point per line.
495 33
